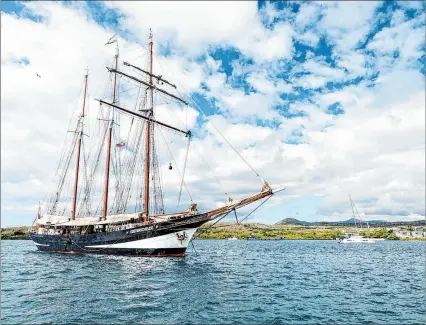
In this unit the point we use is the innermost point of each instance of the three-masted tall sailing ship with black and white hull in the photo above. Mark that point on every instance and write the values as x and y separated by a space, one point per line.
70 223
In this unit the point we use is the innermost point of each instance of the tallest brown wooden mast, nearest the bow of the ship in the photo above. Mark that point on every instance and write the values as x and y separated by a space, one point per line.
148 132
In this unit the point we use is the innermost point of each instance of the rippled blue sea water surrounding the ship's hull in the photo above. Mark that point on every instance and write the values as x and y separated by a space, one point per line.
248 282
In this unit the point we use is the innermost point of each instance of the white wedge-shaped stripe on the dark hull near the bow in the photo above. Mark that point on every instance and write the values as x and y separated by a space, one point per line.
165 241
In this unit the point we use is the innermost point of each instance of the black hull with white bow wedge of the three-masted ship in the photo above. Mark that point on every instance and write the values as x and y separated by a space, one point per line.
169 238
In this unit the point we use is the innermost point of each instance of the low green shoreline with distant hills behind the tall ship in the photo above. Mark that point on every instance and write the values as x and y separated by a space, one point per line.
289 228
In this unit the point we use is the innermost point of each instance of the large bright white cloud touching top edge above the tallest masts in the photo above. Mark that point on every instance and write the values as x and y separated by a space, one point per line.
175 21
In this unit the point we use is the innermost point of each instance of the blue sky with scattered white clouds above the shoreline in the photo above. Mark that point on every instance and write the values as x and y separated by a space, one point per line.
325 98
